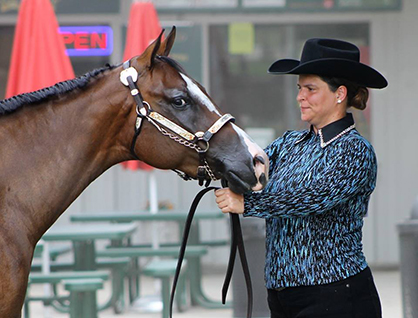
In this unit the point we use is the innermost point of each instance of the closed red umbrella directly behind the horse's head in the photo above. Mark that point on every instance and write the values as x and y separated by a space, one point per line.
143 28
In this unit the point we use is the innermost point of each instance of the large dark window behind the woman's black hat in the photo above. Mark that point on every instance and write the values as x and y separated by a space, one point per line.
240 84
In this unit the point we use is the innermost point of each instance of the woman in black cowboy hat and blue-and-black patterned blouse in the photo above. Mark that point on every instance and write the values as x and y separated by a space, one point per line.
320 183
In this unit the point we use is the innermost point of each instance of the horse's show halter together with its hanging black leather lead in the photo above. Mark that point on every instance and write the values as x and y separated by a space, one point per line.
129 77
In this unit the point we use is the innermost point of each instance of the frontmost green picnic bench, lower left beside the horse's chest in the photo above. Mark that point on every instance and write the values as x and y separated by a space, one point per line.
82 286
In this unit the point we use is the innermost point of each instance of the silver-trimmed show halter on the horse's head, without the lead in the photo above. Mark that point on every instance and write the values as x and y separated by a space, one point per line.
129 77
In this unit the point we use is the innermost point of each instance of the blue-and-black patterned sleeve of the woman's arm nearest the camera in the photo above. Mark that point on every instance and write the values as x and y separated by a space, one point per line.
351 172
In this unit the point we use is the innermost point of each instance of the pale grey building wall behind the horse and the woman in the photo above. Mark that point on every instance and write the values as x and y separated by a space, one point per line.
394 49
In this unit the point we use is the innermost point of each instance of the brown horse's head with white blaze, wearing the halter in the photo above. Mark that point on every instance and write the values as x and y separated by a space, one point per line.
193 136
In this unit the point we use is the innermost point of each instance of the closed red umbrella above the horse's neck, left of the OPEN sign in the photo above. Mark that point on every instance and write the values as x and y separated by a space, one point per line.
38 55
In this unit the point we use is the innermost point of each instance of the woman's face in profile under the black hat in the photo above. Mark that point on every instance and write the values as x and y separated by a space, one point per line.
318 104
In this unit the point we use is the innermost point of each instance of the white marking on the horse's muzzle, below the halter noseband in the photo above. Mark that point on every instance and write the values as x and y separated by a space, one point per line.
255 150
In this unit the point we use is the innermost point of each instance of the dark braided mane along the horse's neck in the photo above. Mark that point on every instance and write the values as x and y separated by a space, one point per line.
13 103
